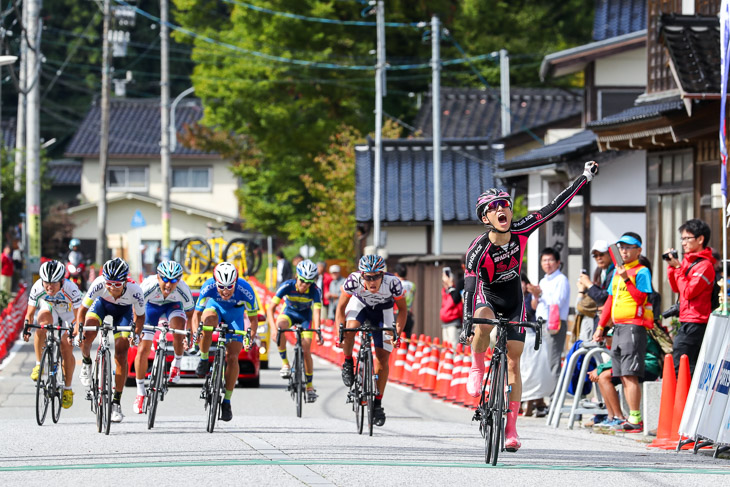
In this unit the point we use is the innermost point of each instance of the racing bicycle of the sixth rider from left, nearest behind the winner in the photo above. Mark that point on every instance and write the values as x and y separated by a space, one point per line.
364 388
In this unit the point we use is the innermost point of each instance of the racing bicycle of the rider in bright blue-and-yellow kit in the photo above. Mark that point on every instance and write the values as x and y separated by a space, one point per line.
214 387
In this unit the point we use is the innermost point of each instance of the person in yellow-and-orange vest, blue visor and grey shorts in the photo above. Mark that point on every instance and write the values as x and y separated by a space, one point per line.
628 308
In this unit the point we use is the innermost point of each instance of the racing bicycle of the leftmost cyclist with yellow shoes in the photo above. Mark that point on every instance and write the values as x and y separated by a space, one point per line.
49 385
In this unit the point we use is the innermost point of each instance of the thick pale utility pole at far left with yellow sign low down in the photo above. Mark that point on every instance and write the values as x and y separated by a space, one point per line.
33 133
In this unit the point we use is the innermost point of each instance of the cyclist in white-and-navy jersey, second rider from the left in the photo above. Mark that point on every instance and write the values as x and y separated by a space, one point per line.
113 294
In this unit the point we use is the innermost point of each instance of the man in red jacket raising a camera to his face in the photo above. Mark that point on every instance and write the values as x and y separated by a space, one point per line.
693 279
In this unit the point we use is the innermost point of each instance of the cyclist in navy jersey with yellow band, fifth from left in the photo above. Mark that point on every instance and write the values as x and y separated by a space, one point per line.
303 302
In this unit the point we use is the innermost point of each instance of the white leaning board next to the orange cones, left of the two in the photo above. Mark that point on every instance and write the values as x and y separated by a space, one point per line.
704 375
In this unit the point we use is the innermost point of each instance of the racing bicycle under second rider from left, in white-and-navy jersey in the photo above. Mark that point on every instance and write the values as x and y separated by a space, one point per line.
101 391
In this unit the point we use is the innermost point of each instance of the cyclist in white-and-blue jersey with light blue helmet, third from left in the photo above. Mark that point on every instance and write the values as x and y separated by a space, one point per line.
165 296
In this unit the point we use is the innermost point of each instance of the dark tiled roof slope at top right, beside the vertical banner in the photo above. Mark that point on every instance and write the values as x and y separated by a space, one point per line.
693 43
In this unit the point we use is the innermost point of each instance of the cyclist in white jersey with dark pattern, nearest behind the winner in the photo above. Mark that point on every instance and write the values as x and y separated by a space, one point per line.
375 292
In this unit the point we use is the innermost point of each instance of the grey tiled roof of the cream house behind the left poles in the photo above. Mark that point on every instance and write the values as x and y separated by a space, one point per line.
134 128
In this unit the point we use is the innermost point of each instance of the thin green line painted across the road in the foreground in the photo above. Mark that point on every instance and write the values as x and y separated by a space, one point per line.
233 463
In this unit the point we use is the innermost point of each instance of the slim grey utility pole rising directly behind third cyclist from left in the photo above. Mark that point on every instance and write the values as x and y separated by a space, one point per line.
165 127
